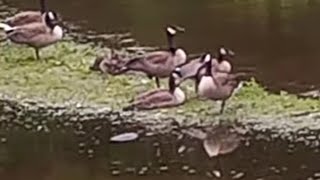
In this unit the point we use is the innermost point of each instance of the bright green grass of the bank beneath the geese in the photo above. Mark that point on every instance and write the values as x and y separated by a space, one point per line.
63 75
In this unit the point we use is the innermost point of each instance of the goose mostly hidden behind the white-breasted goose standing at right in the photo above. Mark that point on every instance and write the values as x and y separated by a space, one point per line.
220 64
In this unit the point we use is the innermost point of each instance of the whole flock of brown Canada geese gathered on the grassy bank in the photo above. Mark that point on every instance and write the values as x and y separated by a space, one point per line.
212 74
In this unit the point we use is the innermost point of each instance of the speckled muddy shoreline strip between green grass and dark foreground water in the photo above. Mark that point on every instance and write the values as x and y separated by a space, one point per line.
35 115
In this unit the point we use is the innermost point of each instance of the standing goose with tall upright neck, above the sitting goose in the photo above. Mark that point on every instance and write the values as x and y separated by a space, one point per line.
159 64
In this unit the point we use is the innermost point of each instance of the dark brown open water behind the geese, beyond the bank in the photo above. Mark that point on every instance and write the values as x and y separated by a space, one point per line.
279 39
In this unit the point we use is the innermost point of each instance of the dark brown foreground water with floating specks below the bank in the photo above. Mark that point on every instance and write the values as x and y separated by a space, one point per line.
66 154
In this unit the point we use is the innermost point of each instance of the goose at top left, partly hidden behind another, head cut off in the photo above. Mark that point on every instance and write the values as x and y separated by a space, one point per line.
27 17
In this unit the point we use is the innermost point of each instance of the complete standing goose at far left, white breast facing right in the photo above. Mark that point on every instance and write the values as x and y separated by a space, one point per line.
36 35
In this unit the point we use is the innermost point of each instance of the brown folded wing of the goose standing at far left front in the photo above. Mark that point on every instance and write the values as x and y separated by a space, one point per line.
29 31
